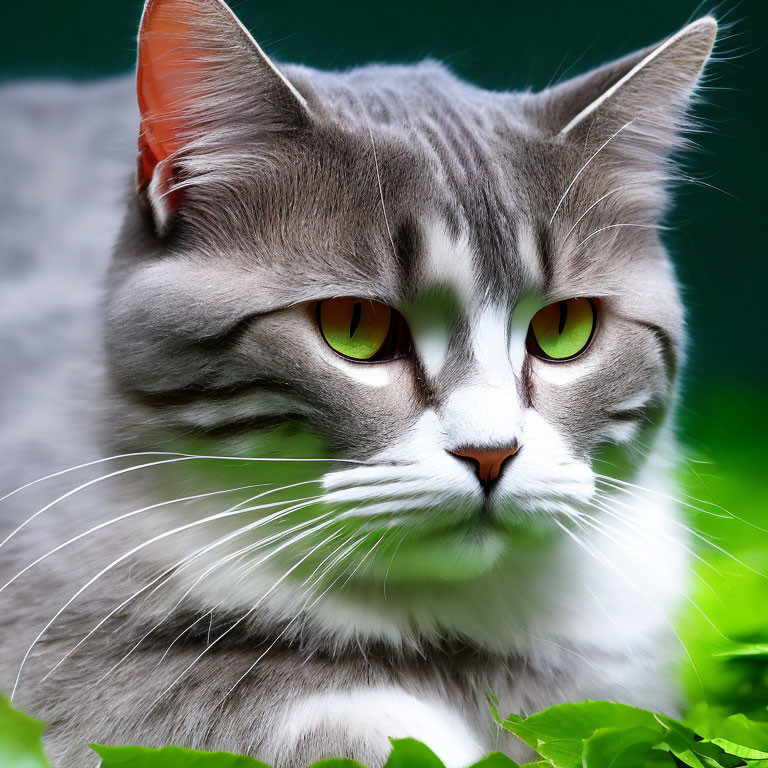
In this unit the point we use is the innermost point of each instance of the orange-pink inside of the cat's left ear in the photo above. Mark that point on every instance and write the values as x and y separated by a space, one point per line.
167 80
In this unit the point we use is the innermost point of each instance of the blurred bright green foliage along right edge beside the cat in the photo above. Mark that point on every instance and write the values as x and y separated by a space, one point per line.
725 627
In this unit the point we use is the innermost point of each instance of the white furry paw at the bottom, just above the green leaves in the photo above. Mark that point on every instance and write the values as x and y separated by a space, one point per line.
361 722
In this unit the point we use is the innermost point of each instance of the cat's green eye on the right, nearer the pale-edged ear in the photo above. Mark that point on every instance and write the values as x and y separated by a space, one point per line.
562 330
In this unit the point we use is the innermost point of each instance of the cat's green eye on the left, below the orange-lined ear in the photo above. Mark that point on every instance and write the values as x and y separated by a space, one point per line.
362 329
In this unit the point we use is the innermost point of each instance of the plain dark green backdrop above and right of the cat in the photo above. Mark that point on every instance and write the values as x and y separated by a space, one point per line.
718 242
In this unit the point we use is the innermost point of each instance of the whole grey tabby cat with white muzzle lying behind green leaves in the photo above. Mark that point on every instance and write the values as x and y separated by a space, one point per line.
376 413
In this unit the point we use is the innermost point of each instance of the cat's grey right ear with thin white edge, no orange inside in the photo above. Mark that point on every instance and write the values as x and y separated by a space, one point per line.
643 96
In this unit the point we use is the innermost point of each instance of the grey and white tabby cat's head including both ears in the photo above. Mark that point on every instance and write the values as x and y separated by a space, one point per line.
461 294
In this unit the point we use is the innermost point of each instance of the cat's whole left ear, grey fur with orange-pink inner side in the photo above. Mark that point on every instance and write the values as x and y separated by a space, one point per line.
201 79
